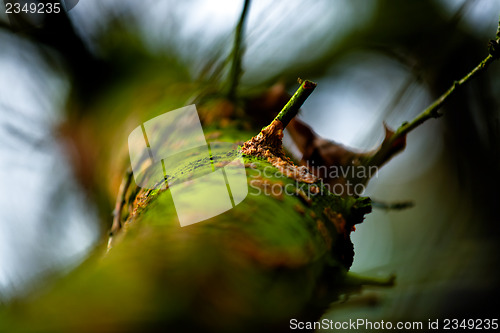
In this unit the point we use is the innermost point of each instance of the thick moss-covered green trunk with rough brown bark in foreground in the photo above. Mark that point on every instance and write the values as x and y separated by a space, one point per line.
282 253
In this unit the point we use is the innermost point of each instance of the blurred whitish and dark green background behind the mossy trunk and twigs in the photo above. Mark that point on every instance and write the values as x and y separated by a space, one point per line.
374 61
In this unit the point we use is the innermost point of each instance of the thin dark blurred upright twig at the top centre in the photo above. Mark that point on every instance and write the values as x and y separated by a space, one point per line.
237 53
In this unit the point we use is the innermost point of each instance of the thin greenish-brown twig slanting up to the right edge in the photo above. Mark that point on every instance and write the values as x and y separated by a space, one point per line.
387 150
